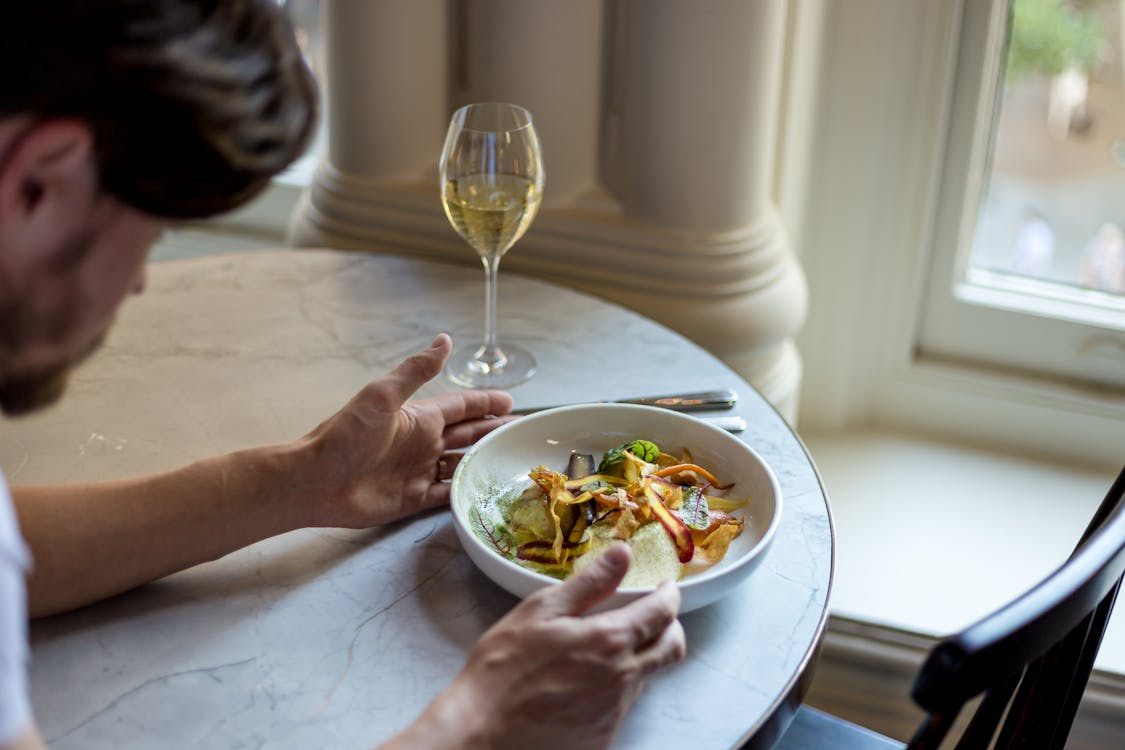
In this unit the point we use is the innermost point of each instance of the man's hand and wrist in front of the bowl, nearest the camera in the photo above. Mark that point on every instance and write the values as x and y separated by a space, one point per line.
550 675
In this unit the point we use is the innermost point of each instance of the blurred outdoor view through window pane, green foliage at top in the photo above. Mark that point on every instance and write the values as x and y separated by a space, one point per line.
1055 205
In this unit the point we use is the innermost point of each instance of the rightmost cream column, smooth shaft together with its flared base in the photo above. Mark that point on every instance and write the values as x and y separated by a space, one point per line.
696 110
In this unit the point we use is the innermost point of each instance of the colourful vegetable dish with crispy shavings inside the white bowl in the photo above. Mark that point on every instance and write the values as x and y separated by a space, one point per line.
677 516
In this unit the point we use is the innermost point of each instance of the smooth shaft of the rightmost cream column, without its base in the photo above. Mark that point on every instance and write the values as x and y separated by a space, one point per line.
700 106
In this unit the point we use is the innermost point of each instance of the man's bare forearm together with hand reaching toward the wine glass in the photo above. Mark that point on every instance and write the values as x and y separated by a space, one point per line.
375 462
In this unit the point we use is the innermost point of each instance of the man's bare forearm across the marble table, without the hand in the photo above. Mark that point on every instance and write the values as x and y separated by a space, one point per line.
97 540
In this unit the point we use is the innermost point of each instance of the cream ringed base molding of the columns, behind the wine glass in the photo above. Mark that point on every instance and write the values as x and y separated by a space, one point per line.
741 295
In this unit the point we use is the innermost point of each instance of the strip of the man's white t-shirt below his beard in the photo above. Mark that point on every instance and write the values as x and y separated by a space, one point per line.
15 709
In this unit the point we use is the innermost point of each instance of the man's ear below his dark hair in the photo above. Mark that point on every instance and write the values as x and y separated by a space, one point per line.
48 175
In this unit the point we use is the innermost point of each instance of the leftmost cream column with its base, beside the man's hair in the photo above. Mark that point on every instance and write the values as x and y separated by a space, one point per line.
386 66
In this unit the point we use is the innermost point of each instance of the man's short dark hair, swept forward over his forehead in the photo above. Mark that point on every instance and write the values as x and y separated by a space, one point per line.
194 105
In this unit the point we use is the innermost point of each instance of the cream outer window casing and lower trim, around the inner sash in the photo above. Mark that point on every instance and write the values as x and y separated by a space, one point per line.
888 137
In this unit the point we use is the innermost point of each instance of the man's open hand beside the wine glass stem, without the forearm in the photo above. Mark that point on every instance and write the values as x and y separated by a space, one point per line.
381 459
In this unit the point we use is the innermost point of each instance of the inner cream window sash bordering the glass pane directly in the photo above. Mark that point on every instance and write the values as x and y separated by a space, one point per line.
986 318
